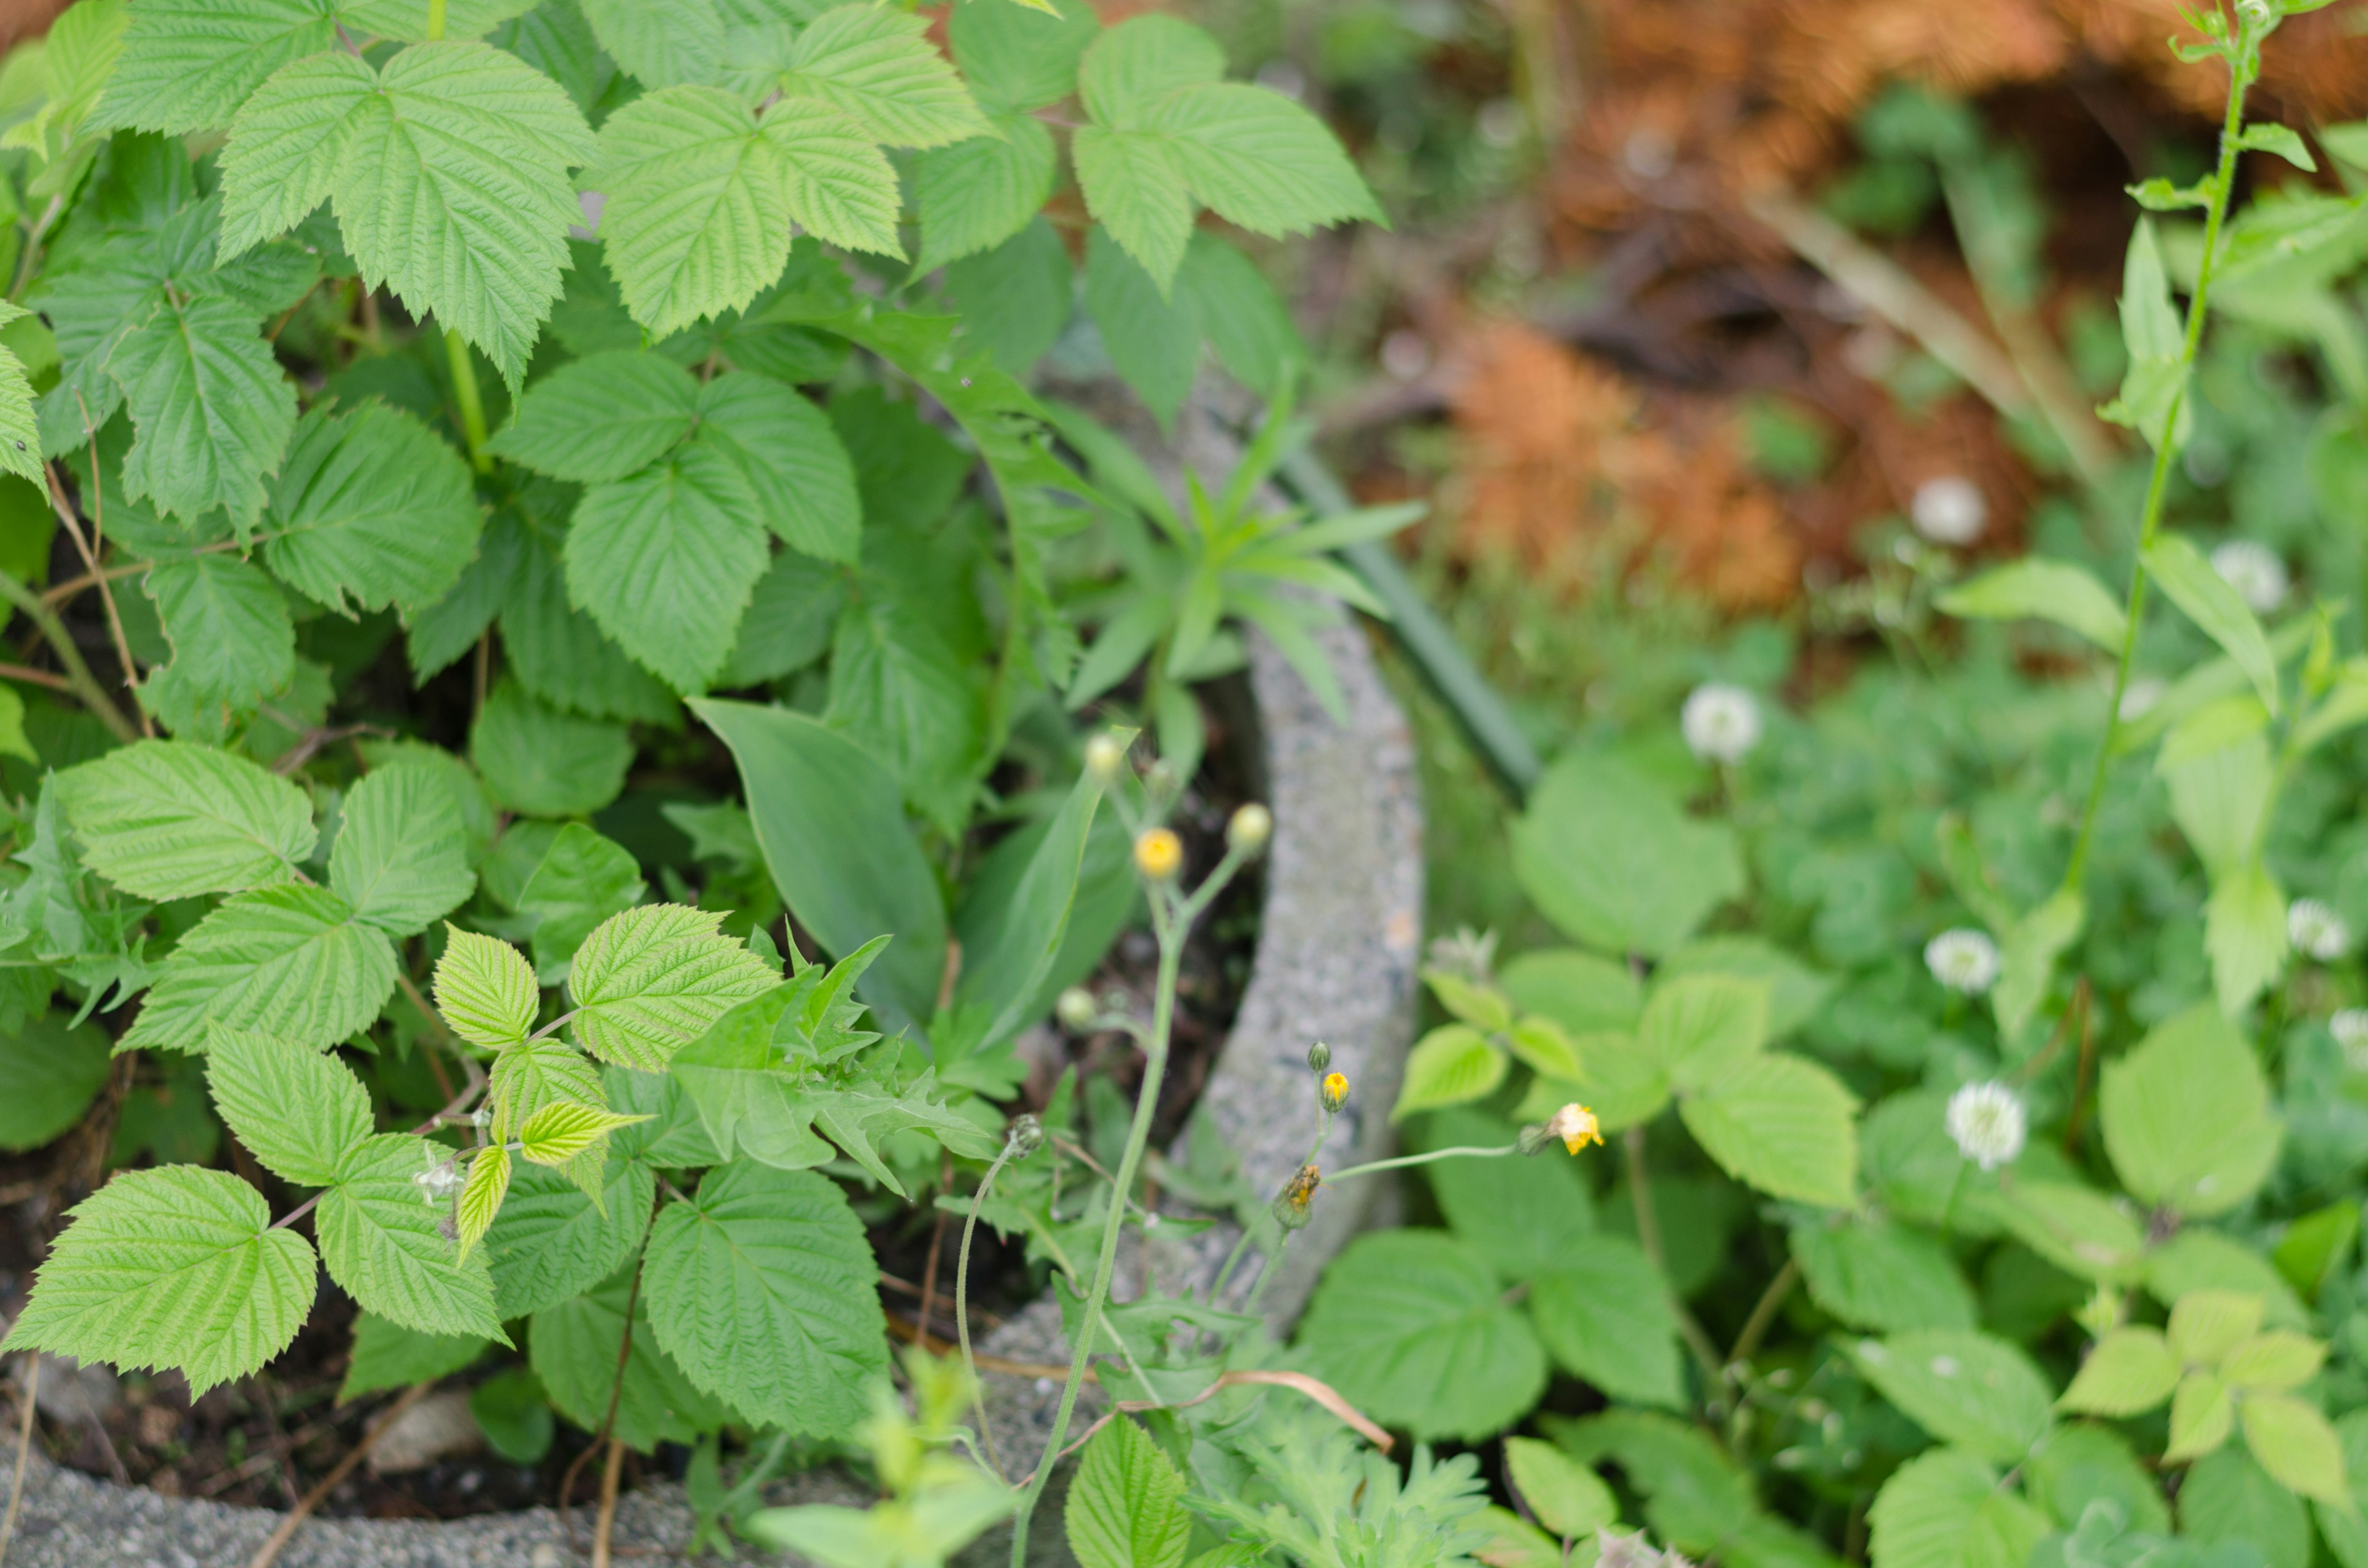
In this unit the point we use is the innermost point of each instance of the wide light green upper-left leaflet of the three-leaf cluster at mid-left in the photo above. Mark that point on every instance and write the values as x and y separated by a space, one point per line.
169 821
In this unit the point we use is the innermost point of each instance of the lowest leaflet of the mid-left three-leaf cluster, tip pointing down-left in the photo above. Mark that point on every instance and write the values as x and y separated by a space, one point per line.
281 960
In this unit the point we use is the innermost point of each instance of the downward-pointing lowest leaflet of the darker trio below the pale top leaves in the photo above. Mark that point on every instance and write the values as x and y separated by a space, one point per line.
667 563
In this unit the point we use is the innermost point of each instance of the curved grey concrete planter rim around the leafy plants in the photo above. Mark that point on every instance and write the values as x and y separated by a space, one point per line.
1337 960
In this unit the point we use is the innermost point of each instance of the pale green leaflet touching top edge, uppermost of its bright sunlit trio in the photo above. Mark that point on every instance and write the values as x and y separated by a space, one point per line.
875 65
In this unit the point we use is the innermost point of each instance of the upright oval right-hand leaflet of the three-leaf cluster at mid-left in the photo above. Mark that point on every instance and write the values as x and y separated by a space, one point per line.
401 856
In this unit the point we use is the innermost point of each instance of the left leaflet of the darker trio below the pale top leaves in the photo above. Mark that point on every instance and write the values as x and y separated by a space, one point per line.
605 416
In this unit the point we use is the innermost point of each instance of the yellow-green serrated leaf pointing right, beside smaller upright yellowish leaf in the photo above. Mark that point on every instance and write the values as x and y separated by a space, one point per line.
652 979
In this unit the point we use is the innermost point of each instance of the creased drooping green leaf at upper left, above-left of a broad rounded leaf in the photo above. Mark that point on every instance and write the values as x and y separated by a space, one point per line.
210 406
